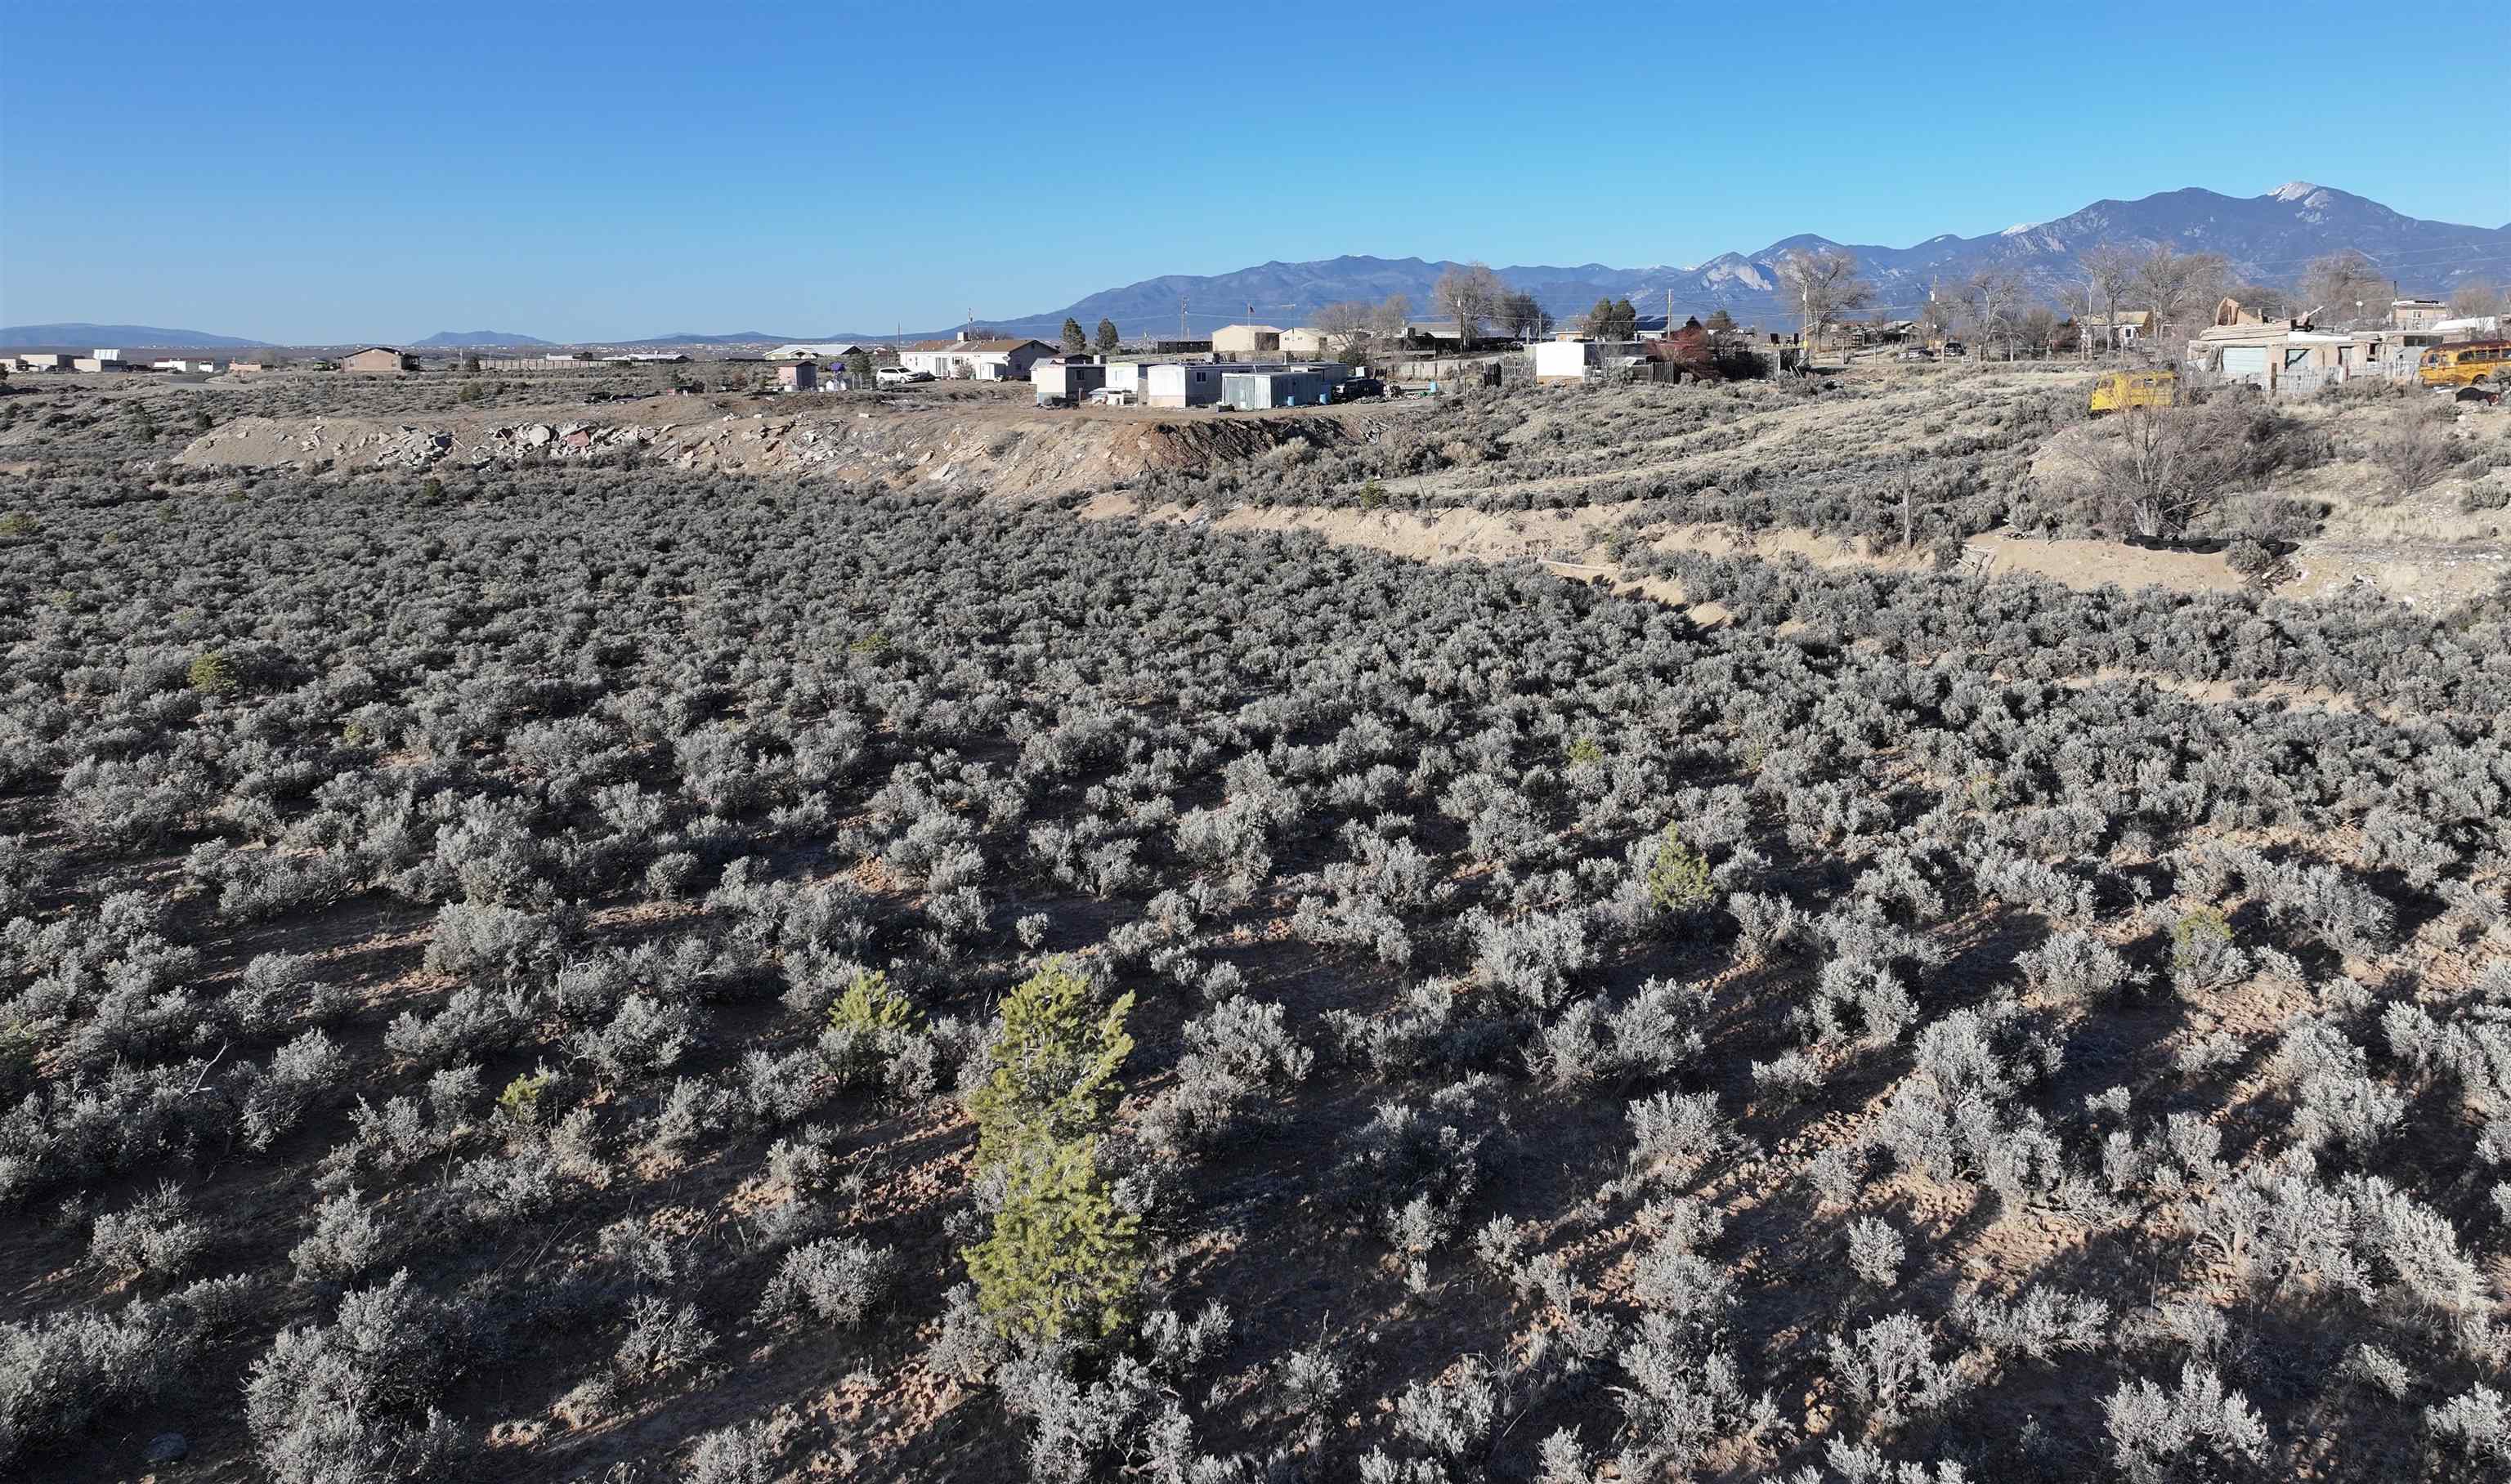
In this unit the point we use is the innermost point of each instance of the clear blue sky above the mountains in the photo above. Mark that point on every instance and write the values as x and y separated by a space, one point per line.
604 172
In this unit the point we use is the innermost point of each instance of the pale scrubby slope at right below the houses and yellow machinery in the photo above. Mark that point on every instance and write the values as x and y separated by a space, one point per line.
1897 463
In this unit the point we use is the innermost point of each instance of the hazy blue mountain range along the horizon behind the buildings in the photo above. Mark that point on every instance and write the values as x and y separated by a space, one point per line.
2269 240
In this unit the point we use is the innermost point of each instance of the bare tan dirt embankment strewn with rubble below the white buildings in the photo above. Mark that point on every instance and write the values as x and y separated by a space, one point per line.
1016 453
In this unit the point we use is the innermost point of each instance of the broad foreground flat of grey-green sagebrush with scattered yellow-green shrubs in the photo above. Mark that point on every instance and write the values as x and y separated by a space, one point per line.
626 976
